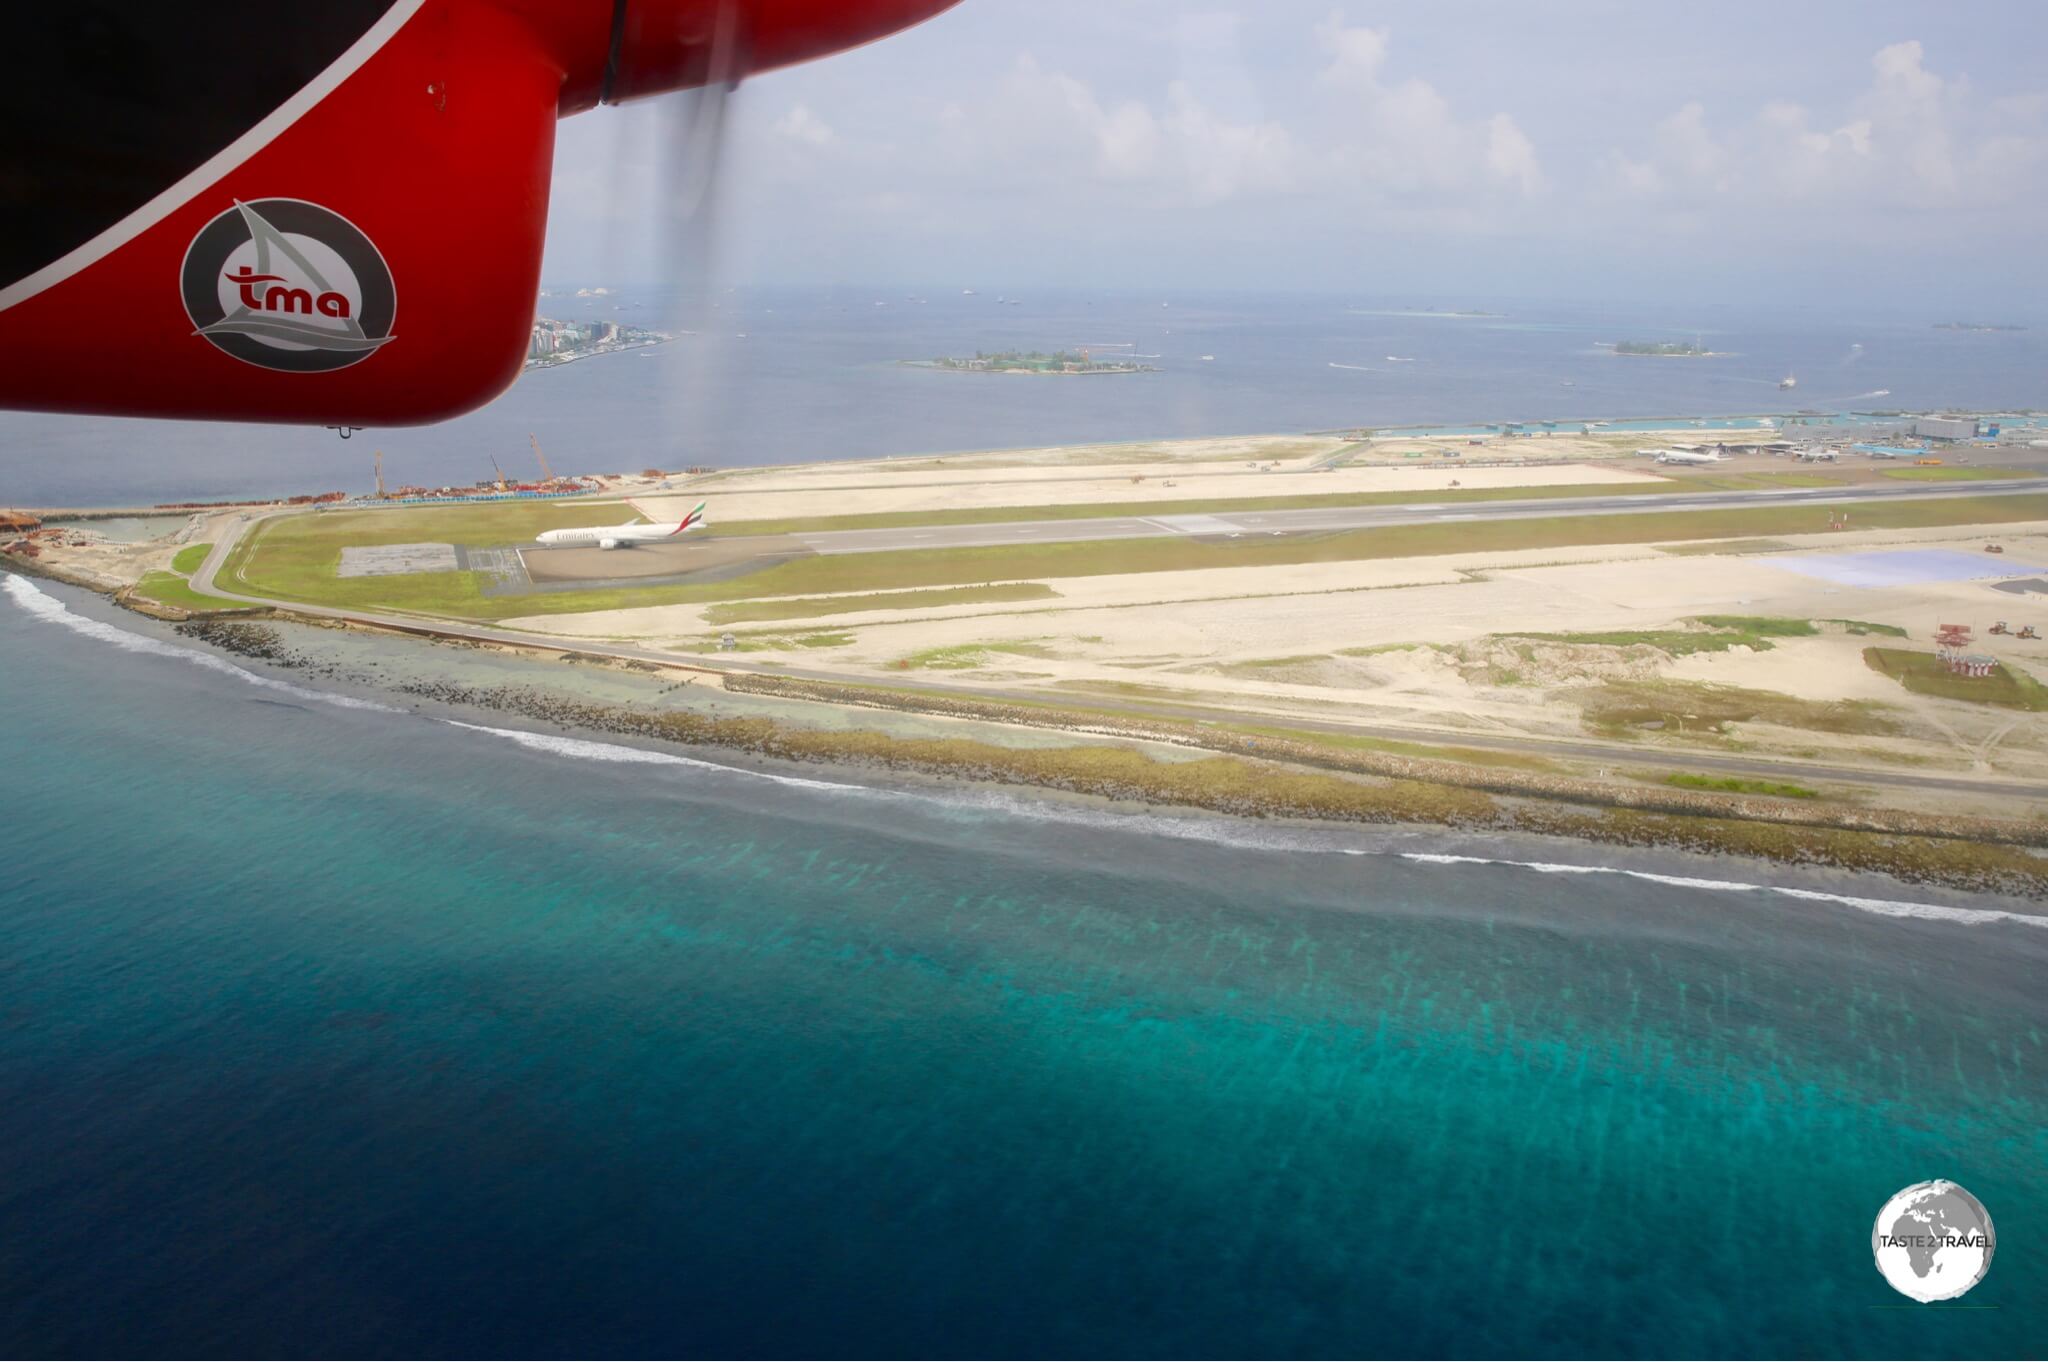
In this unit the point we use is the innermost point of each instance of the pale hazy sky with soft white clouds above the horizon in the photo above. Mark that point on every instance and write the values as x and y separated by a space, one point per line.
1811 153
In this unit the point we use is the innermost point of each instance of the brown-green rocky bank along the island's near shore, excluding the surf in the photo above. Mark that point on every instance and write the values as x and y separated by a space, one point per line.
777 720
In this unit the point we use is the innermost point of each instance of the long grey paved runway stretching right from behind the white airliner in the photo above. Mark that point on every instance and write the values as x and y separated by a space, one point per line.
1375 517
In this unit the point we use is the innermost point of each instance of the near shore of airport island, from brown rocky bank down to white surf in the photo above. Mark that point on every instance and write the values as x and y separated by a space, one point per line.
775 736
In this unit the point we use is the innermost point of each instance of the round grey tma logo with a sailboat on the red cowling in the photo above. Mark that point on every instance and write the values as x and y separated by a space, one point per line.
290 286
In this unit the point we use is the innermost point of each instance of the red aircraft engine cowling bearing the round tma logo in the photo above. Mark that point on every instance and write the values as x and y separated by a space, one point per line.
366 253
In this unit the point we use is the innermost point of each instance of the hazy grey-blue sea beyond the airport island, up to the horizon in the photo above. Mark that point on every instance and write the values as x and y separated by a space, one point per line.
781 376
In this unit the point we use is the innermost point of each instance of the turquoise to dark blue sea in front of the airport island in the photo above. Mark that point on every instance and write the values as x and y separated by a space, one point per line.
339 1029
